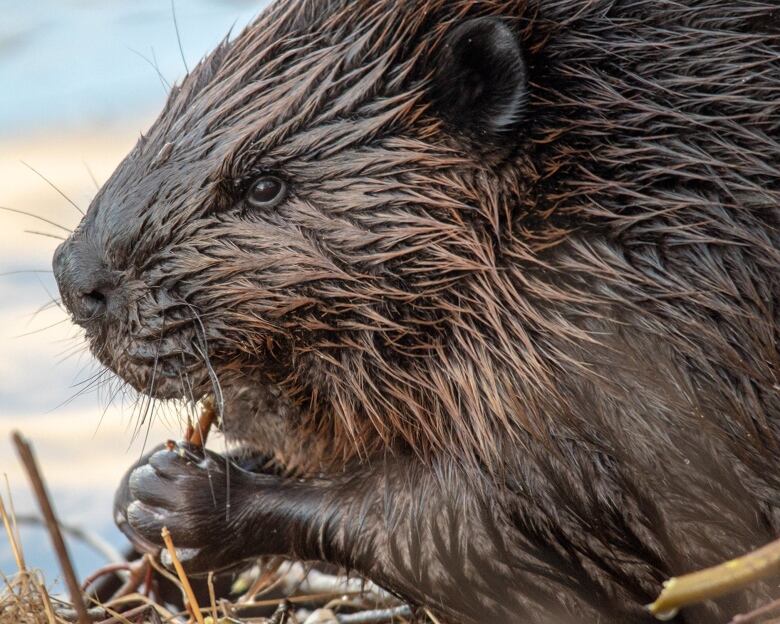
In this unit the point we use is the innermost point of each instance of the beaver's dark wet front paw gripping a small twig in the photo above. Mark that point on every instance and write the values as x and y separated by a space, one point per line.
197 495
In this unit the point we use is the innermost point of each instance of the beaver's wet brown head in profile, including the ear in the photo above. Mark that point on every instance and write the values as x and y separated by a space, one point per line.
307 192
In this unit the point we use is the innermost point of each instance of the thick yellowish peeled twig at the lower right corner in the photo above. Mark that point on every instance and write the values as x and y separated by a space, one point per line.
718 580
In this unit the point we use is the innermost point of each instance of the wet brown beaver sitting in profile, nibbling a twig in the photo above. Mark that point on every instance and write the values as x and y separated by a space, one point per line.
495 283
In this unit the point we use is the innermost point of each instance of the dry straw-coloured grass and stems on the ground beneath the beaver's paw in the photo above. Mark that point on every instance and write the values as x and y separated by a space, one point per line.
25 597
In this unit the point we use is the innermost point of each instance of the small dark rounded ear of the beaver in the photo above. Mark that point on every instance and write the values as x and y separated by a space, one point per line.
479 78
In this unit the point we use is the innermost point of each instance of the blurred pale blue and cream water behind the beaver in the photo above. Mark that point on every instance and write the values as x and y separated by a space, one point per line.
77 86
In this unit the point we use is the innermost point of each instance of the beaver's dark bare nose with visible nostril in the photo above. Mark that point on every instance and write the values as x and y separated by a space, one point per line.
85 285
